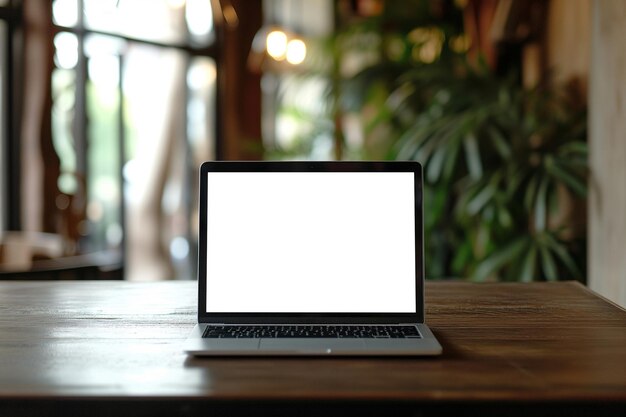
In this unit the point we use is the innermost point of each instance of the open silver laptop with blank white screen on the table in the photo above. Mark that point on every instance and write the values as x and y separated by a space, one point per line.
311 258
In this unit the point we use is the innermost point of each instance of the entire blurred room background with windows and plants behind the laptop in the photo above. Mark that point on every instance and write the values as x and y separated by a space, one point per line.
515 108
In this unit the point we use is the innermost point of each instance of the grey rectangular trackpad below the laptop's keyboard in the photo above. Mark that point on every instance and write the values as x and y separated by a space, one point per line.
311 345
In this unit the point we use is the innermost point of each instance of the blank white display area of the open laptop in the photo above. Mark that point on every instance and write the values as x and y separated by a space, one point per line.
311 242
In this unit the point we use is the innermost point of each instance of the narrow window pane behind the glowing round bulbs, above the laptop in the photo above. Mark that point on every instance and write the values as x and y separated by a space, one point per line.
297 120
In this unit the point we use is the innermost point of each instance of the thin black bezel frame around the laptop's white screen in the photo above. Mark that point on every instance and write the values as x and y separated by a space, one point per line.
310 166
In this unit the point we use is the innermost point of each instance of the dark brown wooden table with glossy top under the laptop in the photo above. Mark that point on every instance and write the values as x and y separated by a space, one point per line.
114 348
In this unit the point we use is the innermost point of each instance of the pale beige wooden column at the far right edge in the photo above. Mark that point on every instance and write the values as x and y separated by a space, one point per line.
607 203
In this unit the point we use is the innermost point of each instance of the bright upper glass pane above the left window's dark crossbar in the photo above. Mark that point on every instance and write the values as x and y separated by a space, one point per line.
167 21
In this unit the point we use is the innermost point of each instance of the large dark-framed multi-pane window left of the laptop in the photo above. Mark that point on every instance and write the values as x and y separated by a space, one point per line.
134 81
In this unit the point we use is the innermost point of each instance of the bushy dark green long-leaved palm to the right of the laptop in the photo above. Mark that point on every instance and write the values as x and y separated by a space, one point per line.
500 162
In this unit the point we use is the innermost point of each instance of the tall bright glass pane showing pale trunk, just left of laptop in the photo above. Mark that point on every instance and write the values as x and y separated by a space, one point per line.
155 173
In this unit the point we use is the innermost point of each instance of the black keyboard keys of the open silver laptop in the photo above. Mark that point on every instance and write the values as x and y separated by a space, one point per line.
304 331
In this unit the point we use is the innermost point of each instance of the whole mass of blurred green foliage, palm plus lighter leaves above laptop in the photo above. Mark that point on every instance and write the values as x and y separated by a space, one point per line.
501 163
